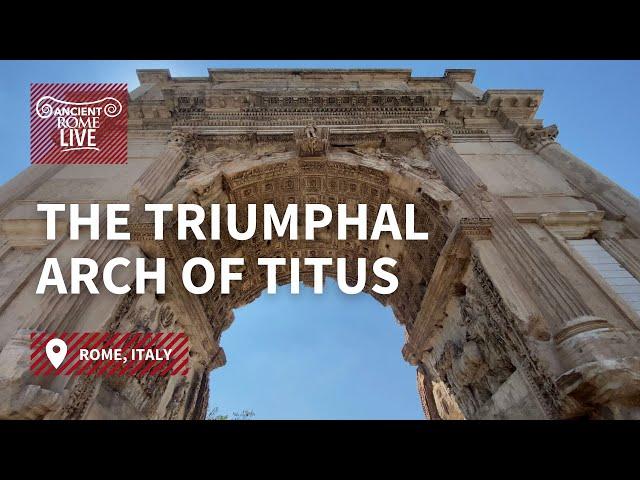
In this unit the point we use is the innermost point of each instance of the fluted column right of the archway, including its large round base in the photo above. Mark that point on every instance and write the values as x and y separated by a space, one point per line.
598 365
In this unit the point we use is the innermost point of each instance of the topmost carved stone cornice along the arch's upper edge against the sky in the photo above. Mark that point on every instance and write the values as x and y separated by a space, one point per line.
346 96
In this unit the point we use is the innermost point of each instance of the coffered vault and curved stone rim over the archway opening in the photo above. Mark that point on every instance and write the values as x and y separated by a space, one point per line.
349 176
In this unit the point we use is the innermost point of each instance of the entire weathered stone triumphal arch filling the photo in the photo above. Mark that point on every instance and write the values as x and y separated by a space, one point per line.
523 303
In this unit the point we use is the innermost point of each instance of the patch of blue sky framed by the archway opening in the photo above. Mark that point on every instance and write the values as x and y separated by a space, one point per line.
308 356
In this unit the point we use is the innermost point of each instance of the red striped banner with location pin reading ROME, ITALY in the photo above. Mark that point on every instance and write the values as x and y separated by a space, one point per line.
133 346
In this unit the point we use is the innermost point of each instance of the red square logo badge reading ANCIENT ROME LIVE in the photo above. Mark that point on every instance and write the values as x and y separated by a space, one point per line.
79 123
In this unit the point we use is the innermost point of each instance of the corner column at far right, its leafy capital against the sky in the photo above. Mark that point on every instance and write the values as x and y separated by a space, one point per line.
595 186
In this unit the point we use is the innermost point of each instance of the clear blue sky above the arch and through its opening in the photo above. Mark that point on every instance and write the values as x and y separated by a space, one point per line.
338 356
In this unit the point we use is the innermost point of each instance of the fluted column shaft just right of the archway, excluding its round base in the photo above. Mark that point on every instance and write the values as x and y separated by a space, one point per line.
556 298
